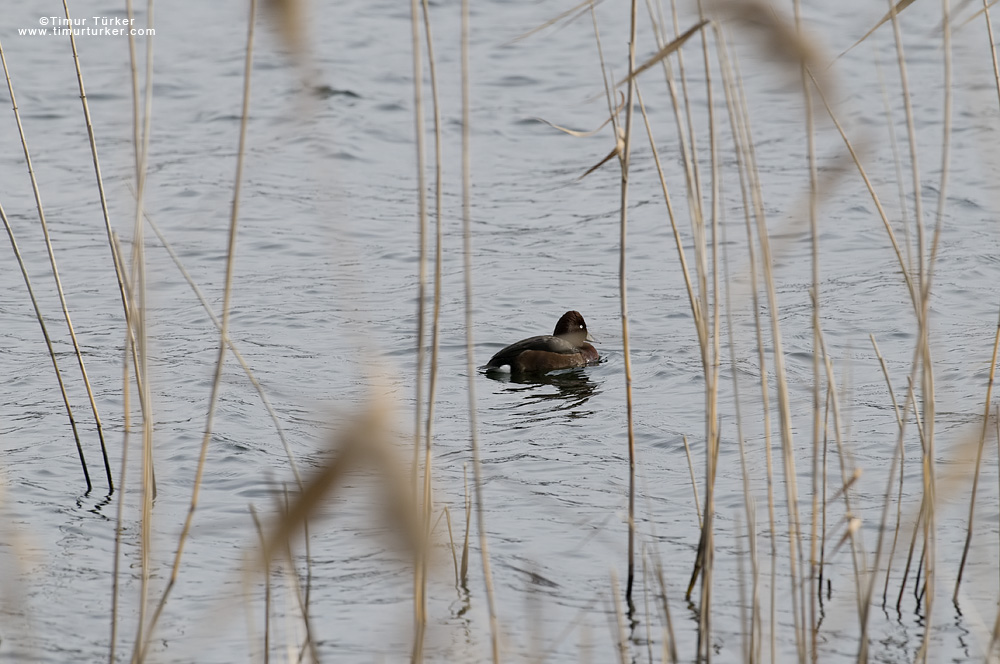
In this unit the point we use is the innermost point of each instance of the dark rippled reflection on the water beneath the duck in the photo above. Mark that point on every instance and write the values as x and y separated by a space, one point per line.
573 389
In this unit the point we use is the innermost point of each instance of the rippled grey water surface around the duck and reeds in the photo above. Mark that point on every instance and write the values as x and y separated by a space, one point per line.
325 299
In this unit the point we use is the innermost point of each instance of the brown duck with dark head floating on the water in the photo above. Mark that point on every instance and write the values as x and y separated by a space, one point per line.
565 348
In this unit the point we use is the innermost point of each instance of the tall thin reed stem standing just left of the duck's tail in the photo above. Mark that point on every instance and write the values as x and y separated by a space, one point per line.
470 346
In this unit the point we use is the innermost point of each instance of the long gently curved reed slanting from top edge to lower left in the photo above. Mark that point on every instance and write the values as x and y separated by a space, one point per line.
223 333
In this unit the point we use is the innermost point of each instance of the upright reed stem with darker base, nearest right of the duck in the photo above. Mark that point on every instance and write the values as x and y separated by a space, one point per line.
623 299
